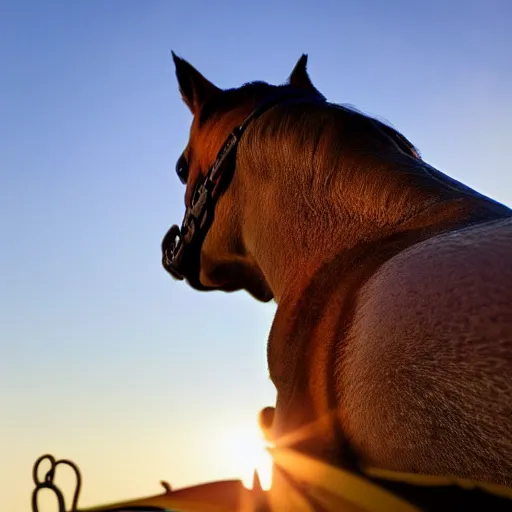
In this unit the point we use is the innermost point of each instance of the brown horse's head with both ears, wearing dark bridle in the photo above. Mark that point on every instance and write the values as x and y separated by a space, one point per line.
211 242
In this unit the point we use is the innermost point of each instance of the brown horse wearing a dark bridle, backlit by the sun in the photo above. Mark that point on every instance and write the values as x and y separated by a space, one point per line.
392 341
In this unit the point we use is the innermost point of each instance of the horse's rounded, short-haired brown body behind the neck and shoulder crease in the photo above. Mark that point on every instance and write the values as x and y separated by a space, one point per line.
428 358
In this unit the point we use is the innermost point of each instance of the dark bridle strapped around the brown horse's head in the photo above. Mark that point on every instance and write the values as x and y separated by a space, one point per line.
181 247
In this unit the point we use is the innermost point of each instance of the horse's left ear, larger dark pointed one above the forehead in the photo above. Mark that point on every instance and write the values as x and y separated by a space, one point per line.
195 89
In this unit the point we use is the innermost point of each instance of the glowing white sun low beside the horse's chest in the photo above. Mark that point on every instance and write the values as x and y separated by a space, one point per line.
247 450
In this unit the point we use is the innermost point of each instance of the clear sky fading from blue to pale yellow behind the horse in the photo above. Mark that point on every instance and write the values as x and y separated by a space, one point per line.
106 360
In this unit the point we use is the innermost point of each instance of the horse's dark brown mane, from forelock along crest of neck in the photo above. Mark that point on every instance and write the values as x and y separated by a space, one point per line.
328 147
